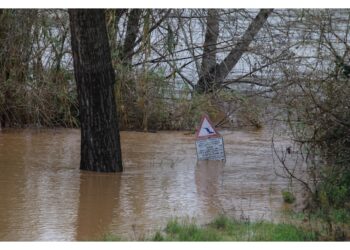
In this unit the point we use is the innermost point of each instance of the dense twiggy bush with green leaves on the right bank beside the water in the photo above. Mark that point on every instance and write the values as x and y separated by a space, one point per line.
324 145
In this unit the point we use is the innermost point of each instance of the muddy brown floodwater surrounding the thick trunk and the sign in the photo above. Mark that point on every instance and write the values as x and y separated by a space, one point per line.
44 195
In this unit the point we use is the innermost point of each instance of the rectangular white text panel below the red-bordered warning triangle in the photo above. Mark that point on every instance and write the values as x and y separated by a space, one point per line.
210 149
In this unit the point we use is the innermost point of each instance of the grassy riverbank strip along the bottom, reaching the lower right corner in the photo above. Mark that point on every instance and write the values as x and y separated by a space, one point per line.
224 228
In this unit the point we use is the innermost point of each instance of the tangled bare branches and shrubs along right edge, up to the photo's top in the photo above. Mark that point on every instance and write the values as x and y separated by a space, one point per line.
314 99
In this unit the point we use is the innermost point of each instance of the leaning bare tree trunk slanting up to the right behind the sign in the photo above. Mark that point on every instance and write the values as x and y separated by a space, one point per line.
214 77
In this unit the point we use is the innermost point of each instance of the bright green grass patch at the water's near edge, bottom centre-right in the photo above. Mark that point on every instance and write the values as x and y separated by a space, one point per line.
226 229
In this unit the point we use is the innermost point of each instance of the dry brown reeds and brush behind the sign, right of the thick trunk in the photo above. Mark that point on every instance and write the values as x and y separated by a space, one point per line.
149 101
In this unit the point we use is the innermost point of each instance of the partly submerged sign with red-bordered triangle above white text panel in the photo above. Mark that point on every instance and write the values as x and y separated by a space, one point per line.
209 143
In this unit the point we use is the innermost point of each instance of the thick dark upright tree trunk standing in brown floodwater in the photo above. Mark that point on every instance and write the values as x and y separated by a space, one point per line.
94 75
